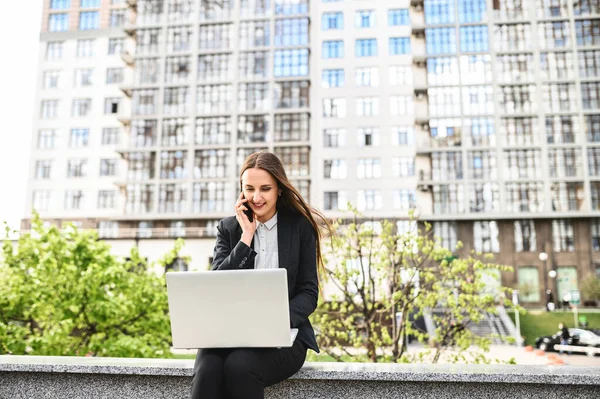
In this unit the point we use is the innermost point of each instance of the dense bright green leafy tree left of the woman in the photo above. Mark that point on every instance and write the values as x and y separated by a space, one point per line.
64 293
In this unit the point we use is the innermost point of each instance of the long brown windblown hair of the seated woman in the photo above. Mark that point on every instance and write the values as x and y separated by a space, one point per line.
290 198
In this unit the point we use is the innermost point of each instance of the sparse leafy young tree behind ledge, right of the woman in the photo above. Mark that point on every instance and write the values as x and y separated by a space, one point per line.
383 280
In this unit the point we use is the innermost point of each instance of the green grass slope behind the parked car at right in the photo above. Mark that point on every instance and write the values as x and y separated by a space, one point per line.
539 323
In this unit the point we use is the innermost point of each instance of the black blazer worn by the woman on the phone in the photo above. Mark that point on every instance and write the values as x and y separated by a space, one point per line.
296 243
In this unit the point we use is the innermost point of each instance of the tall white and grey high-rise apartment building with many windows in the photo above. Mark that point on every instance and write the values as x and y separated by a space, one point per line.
483 116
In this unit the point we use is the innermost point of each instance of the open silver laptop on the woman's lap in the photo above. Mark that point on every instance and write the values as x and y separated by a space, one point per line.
229 309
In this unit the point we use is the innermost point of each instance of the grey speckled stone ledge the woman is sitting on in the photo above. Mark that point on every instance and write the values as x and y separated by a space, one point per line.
63 377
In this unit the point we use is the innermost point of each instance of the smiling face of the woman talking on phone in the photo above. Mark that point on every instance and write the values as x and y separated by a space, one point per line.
261 191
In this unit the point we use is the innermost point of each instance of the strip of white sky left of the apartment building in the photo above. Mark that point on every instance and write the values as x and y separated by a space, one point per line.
19 36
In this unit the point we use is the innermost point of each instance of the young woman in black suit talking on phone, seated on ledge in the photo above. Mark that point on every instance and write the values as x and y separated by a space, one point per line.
284 232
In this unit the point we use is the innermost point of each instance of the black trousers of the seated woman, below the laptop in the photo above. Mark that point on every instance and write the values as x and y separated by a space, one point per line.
243 372
